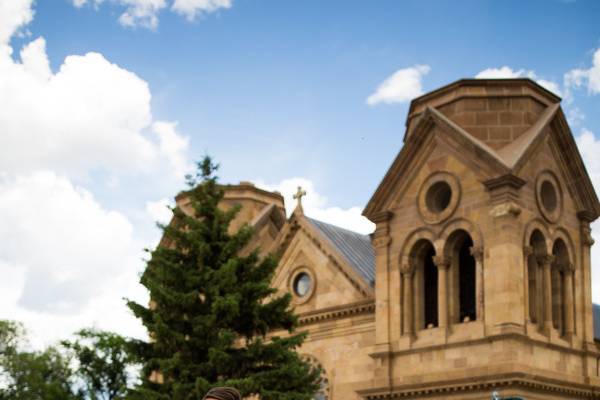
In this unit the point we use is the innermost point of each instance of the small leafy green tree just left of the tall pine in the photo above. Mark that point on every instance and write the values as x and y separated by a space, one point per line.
104 364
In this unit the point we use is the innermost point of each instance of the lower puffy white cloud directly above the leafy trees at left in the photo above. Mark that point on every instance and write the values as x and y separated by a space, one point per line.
66 260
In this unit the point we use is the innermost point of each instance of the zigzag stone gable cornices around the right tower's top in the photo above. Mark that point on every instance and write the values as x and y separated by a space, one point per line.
508 160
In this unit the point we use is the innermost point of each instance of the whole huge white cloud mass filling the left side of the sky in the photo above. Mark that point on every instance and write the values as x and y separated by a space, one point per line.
66 259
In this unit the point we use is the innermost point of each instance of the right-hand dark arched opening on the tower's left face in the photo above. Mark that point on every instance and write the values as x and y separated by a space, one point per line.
462 285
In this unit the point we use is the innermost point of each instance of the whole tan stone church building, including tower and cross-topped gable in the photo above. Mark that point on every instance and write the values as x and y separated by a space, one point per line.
478 275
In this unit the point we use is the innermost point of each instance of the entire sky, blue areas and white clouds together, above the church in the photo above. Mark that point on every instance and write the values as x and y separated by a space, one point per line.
106 104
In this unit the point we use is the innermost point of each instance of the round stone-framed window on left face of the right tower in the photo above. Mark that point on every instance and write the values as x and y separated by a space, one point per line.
438 197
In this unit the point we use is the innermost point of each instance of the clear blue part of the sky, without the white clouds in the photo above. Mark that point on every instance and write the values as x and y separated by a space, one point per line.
274 89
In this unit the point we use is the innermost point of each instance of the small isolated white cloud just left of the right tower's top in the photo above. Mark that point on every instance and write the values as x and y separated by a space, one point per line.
403 85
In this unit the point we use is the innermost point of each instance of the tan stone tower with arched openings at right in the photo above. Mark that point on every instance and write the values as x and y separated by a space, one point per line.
483 250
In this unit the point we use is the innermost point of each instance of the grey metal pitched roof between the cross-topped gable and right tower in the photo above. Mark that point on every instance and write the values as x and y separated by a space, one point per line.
355 247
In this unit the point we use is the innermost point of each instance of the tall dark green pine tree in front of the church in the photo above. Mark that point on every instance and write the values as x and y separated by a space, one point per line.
212 309
